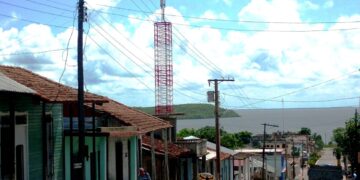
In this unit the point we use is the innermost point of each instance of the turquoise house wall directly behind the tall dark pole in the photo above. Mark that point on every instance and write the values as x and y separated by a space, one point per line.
100 146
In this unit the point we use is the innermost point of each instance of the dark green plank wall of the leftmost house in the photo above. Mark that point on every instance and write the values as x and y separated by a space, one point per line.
26 103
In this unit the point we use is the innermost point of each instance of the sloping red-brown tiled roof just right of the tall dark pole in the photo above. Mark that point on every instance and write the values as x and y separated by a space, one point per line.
129 116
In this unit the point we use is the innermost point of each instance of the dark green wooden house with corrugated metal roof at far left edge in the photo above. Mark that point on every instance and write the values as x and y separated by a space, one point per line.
28 144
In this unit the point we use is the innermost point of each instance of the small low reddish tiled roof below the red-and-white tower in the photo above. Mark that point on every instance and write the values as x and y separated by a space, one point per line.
173 149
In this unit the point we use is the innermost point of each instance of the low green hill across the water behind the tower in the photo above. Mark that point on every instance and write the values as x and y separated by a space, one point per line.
194 111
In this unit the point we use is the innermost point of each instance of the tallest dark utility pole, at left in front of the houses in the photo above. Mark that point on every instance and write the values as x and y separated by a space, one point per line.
81 123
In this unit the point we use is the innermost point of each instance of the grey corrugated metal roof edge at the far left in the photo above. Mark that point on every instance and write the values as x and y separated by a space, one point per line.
9 85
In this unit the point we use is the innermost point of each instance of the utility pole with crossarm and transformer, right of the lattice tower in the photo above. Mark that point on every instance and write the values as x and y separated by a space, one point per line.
217 127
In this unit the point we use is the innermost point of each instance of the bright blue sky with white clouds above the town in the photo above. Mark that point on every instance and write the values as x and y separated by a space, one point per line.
281 53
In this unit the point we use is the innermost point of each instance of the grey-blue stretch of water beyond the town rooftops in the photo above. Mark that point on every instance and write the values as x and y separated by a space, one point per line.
319 120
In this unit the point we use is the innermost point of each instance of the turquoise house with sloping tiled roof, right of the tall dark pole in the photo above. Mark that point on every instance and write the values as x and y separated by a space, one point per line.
126 146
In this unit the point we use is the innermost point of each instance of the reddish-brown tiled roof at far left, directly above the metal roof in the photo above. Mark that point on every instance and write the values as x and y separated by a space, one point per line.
46 88
